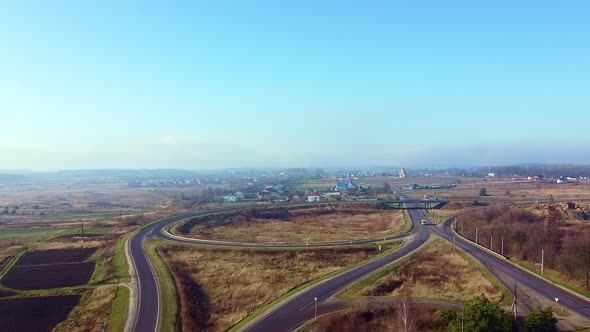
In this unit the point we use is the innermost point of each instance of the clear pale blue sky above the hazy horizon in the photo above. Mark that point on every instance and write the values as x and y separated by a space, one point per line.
222 84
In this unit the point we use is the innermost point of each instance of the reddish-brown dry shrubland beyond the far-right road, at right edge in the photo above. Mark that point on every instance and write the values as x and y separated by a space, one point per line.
558 231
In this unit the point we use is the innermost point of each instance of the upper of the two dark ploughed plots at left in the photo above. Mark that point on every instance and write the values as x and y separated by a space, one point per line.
50 269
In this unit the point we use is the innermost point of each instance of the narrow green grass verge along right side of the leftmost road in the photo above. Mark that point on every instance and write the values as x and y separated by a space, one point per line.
169 299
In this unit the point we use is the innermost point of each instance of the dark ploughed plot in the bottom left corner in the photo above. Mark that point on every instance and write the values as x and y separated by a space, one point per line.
36 313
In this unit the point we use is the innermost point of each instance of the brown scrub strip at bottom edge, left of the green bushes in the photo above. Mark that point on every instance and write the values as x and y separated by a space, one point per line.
423 318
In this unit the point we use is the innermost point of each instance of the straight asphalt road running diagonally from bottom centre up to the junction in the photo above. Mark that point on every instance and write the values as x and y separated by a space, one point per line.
301 308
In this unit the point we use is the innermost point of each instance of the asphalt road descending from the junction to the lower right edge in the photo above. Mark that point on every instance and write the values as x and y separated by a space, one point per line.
496 264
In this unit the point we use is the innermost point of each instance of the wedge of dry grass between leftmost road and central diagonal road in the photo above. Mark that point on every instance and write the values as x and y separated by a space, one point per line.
220 287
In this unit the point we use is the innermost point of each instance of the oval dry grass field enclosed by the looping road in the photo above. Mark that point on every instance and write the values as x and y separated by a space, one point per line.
304 224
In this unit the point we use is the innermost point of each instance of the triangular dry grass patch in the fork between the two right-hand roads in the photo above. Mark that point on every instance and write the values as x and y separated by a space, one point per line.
437 272
